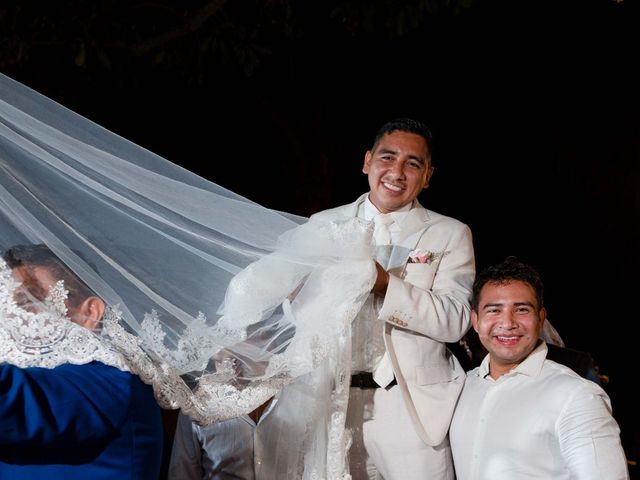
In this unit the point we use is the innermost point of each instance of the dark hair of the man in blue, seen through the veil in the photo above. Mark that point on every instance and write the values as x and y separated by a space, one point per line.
39 255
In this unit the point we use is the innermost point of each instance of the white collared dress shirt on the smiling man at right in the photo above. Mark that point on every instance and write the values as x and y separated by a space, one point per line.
539 421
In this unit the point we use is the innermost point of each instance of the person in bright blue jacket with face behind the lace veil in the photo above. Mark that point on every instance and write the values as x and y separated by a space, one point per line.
73 421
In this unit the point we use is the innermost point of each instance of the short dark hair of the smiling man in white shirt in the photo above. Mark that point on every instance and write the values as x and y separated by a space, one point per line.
511 269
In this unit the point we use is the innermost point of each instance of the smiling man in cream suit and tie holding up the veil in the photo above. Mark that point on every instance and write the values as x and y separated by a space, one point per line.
405 382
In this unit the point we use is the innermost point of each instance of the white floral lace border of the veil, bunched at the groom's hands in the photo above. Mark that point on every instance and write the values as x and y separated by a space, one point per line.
326 300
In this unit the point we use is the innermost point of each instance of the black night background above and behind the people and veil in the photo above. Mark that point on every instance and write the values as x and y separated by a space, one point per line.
533 106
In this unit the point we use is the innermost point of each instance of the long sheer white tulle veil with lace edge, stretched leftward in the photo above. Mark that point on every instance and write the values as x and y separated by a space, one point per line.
217 302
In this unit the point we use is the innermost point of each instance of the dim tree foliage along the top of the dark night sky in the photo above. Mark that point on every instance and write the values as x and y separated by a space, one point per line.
190 35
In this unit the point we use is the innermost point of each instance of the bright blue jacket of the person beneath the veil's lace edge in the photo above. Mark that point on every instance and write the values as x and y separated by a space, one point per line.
78 422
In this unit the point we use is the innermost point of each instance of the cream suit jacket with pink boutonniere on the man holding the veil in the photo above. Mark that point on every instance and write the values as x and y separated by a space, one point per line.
426 305
